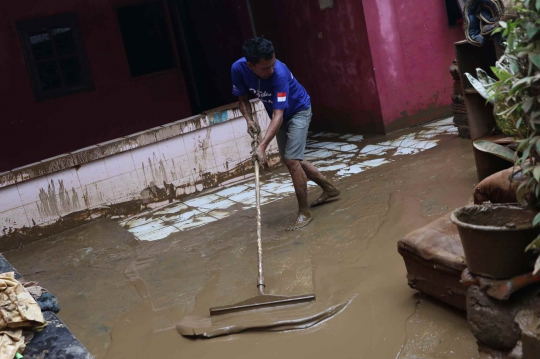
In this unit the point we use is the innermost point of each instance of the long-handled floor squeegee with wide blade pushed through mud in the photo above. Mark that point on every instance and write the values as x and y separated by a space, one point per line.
262 300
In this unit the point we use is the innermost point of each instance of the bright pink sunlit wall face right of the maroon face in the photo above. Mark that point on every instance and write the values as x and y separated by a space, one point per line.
412 47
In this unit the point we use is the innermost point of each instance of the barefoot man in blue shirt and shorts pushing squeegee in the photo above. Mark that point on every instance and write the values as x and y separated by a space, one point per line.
289 107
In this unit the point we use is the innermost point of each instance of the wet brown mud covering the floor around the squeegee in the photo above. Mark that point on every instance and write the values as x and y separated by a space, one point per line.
122 298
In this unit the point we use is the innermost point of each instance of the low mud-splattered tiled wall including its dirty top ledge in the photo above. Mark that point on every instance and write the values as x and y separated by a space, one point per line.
124 176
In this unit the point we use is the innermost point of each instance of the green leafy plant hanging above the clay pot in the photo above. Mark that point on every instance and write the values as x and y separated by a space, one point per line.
516 96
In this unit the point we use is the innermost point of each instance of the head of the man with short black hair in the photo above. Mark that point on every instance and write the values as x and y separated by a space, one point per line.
260 56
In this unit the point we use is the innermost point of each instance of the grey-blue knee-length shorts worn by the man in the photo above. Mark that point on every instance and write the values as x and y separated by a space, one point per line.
292 135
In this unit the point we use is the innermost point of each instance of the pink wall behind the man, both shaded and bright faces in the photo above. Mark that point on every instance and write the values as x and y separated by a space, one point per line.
381 65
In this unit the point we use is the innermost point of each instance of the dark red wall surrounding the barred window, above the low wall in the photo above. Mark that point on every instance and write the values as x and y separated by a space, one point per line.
118 106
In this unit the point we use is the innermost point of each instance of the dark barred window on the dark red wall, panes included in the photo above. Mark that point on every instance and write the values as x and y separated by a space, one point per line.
54 52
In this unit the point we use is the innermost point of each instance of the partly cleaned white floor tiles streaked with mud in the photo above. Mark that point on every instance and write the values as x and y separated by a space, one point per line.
339 159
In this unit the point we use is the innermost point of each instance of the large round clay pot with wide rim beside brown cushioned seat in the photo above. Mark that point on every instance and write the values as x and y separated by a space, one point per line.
494 239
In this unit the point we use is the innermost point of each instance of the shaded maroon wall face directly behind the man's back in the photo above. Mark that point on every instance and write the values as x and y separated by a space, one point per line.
328 52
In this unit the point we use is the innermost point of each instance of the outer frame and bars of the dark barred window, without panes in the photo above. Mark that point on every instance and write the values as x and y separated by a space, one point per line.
26 27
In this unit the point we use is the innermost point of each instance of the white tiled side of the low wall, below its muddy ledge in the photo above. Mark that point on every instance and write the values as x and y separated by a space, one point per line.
183 160
